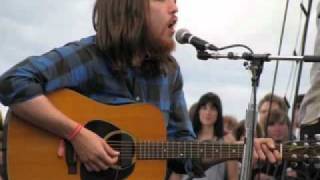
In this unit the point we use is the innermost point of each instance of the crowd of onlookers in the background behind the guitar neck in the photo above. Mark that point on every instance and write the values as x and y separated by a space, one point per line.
273 122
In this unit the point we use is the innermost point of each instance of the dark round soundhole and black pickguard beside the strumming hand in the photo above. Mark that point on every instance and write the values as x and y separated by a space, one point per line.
119 141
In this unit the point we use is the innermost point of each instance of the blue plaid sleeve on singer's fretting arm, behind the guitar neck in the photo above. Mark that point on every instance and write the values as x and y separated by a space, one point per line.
180 128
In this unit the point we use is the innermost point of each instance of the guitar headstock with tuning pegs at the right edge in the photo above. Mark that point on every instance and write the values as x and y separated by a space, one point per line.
306 151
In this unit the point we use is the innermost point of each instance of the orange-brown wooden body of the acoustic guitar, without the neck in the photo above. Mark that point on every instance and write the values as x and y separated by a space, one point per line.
31 153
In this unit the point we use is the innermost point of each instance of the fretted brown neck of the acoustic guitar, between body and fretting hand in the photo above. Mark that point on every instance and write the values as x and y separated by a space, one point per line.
188 149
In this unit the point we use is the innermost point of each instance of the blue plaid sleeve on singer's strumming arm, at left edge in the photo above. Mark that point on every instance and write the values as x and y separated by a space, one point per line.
37 75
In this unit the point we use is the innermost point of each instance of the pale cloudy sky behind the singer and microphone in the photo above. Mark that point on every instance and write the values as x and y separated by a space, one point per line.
35 27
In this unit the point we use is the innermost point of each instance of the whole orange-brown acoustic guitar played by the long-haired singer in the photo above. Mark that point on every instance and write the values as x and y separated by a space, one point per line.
136 130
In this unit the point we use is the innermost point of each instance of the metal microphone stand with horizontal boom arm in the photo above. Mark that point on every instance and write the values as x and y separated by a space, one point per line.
256 67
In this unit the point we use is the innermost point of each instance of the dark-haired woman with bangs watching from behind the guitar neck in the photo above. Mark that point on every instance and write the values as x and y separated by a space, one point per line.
208 126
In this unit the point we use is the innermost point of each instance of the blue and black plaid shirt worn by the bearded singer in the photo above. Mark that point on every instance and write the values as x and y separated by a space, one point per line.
82 67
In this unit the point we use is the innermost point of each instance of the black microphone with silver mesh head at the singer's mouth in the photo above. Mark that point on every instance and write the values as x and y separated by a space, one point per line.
183 36
